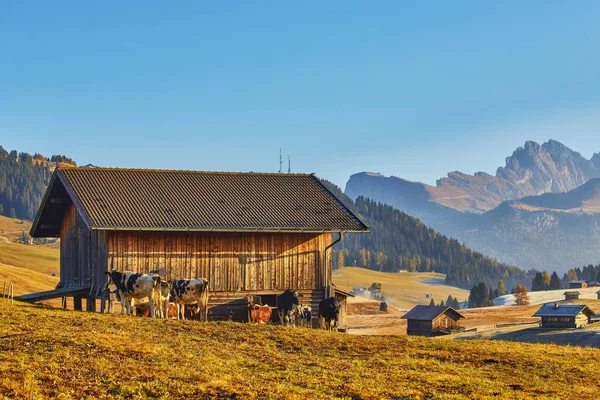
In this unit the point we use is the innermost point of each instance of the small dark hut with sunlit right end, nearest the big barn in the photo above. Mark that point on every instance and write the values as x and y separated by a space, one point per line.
432 320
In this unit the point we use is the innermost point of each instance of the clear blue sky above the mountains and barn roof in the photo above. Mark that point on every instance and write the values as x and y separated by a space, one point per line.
413 89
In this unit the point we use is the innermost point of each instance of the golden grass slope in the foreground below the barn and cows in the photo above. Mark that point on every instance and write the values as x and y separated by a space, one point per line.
52 353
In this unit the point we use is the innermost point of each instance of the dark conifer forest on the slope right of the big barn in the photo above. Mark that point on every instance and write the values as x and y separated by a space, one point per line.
398 241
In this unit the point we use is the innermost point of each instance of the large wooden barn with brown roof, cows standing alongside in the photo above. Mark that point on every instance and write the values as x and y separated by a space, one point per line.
249 234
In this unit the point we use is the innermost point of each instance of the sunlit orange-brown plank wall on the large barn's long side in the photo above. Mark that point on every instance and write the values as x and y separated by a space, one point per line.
230 261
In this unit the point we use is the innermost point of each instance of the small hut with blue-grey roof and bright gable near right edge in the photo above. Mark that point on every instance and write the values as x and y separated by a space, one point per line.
555 316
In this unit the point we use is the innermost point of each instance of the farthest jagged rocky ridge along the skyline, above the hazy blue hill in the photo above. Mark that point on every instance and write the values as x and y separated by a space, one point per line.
531 170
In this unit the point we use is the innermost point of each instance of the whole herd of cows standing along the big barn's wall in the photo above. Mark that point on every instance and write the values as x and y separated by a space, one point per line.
150 294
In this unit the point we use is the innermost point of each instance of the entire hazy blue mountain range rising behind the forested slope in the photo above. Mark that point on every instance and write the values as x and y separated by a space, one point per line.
541 210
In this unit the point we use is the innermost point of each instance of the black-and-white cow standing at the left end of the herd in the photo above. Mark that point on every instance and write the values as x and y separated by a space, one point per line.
132 286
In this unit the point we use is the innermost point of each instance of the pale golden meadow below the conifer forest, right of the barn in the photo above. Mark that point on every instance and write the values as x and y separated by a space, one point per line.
403 290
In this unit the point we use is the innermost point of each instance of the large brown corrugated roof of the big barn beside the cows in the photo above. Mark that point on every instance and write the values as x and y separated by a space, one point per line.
134 199
